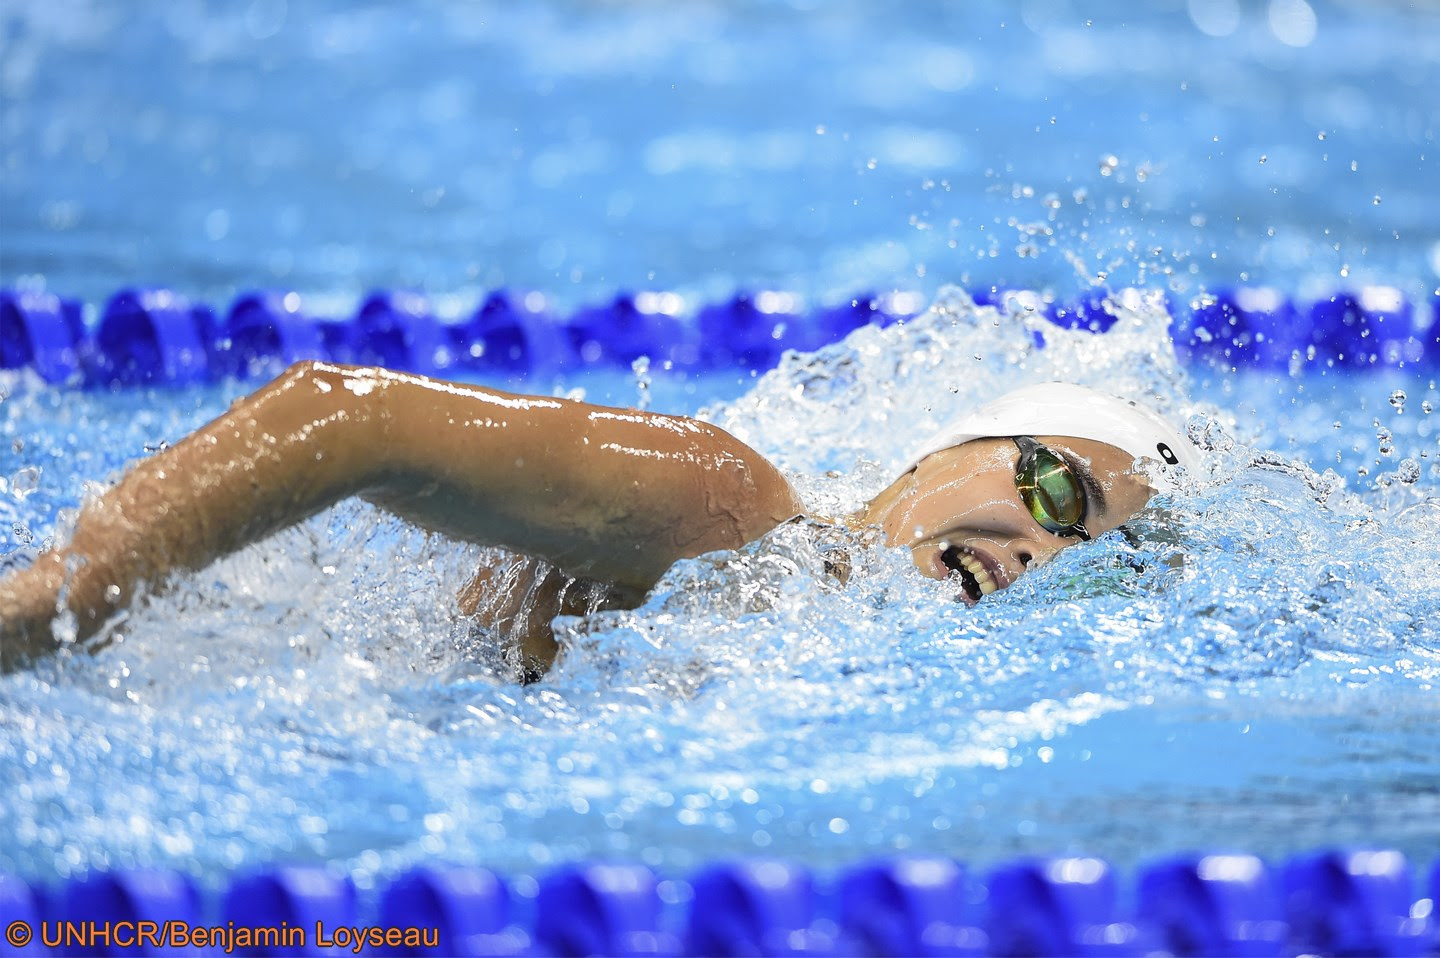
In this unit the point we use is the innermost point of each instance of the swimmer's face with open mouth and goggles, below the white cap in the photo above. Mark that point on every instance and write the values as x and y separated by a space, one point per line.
961 515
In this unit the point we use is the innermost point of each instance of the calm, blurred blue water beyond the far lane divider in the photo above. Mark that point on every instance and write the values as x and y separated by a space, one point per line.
578 148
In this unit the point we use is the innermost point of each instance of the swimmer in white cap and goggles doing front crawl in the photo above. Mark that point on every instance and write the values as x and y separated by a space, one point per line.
593 498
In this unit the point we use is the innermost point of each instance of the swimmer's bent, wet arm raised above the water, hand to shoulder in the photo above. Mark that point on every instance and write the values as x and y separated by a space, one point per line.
607 495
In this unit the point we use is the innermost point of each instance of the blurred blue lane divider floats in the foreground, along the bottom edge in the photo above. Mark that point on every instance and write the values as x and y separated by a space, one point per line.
1357 903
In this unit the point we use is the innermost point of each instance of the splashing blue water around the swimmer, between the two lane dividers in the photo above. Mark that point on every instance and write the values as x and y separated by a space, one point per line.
1264 681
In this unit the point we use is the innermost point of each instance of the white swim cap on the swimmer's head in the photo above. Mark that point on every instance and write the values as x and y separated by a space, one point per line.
1072 411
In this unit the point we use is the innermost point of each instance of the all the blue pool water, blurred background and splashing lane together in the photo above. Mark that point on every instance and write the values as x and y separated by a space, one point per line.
1265 681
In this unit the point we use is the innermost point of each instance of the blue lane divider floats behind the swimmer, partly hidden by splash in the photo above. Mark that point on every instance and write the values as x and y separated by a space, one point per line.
158 336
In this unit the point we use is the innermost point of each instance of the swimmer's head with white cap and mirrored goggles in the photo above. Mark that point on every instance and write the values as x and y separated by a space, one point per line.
1010 485
